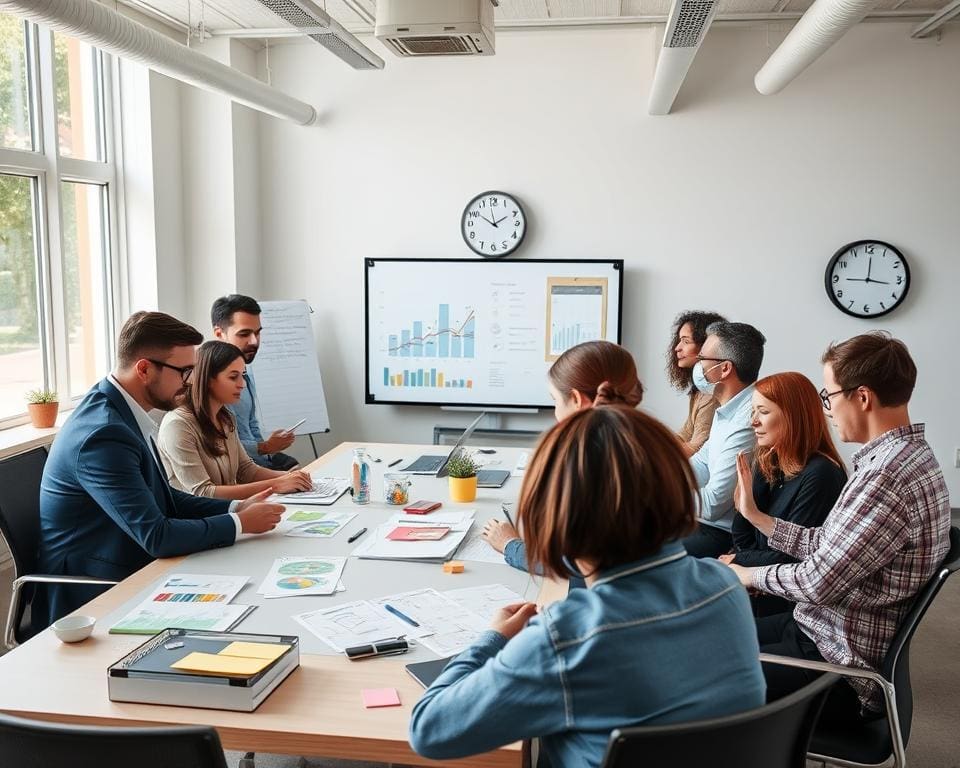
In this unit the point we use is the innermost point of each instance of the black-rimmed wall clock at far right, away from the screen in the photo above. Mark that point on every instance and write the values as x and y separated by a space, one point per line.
868 278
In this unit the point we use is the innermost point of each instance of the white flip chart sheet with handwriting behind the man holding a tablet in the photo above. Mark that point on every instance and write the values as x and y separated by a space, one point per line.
286 371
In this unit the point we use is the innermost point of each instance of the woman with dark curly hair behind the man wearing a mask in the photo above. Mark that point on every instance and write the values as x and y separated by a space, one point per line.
688 334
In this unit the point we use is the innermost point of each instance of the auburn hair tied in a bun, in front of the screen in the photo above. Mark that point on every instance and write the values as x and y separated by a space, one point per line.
594 366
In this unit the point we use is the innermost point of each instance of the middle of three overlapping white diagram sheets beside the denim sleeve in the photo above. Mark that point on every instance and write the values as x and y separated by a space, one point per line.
449 627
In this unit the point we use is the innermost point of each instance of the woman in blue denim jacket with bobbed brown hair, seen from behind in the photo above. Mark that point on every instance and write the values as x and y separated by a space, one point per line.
657 637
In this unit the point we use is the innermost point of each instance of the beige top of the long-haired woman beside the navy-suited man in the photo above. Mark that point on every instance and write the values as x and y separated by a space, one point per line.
190 467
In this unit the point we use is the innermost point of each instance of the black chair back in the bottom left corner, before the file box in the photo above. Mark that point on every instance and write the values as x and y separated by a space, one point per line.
32 744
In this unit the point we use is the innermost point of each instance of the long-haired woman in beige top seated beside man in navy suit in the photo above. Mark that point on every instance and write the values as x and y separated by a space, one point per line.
198 441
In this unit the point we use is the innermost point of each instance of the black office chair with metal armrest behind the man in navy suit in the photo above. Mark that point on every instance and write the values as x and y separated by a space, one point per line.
20 477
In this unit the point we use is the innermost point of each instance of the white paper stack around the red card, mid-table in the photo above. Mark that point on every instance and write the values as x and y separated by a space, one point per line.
379 546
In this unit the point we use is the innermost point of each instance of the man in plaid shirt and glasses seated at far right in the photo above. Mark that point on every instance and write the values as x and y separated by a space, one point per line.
882 541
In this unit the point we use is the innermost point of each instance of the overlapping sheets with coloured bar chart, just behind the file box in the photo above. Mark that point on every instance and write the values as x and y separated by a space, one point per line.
187 601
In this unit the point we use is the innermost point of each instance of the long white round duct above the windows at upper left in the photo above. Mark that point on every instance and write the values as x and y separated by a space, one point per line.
108 30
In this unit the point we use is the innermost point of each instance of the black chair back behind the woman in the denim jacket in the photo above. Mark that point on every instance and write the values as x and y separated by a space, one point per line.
775 735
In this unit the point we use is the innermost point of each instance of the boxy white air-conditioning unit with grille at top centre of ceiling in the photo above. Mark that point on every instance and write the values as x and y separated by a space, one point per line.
436 27
